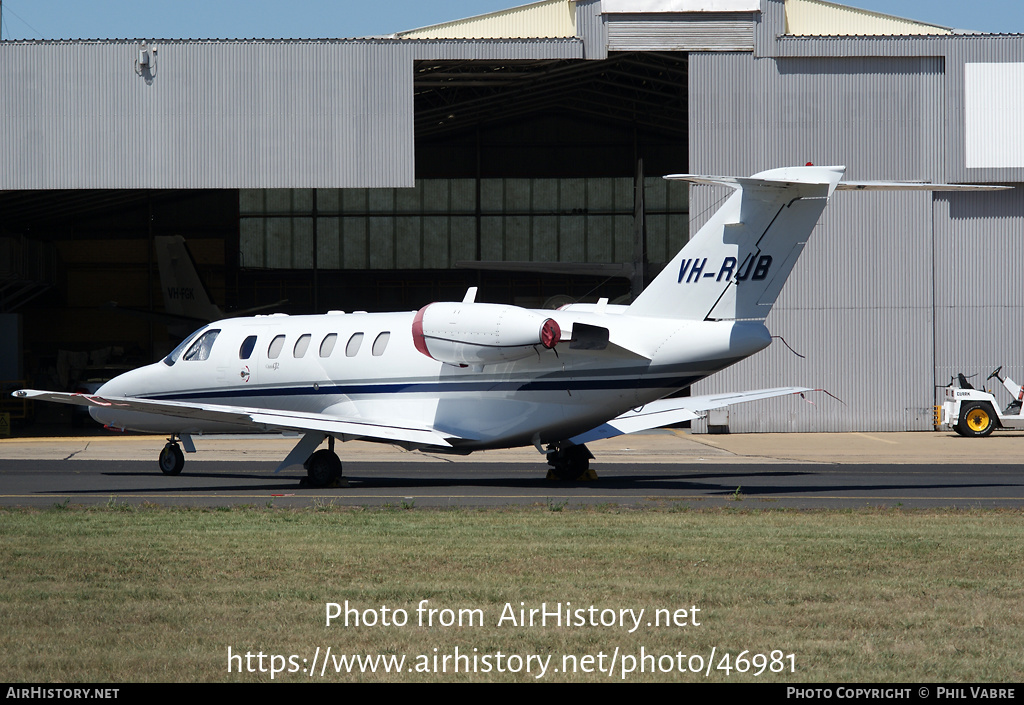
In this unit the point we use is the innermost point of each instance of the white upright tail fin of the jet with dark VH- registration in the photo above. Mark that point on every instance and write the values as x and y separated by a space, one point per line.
736 267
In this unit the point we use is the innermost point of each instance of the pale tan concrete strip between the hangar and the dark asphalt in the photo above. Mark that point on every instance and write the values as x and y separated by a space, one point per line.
665 446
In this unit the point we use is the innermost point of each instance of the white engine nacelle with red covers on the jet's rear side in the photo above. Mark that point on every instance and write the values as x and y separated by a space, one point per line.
482 334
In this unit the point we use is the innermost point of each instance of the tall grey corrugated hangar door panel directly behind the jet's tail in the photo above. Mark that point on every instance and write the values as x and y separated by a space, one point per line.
860 304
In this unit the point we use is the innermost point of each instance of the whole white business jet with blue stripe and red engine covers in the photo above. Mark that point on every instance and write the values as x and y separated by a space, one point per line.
464 377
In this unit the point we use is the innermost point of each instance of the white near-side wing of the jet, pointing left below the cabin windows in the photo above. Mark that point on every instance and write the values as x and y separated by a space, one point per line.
258 420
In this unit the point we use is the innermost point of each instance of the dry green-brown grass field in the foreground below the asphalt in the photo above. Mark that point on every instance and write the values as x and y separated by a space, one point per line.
149 594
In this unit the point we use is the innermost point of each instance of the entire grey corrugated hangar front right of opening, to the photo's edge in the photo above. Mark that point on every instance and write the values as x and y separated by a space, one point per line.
895 294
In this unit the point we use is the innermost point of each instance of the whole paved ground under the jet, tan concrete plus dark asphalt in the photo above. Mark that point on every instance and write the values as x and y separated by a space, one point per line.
674 468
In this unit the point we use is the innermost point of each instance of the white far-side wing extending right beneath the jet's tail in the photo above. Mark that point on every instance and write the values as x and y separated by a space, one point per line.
668 411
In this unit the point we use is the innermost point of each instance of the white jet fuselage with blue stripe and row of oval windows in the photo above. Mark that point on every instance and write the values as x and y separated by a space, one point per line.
366 367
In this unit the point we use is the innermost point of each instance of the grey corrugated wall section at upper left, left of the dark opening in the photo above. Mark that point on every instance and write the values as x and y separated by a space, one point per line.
81 115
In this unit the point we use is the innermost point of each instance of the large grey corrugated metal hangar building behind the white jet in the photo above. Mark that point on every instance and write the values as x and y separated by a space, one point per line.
372 174
